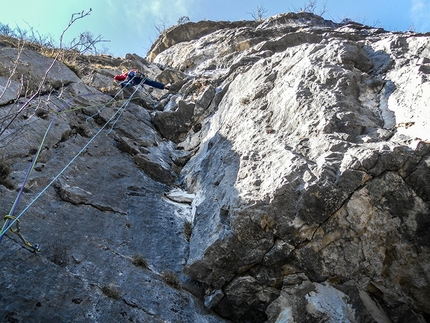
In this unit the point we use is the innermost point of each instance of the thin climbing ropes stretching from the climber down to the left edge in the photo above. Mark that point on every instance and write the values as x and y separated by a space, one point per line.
10 219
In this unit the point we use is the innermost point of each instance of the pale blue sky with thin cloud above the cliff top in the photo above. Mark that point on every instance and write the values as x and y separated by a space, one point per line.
131 26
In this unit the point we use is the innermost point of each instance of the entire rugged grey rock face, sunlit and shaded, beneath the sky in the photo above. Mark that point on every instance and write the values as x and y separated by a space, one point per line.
285 179
